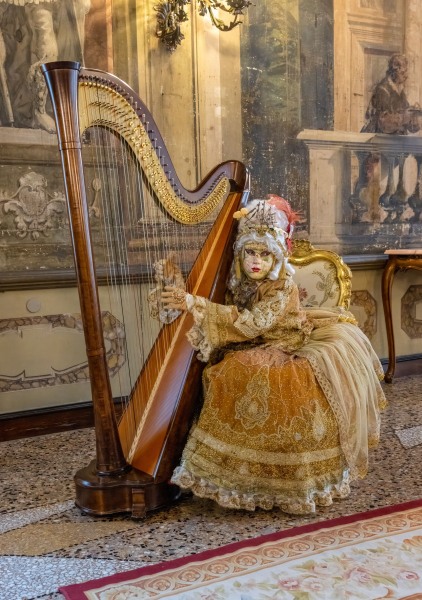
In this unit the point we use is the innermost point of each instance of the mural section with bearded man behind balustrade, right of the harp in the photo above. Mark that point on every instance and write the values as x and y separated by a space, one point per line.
332 117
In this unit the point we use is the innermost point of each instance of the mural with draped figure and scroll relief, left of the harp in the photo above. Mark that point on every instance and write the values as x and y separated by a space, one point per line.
34 230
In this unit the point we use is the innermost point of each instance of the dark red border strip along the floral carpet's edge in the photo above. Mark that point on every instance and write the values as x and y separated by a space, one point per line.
77 589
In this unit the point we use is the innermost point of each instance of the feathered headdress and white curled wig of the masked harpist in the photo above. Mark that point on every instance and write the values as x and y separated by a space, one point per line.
270 222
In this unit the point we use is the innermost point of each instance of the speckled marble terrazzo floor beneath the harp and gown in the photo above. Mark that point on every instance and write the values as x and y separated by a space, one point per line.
45 541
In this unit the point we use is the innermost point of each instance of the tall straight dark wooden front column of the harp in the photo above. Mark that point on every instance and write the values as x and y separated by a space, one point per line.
62 82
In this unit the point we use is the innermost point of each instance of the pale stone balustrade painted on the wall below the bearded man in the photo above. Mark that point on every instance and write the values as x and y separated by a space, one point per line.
365 190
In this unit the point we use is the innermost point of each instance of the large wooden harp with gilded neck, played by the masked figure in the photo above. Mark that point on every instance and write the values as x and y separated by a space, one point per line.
107 138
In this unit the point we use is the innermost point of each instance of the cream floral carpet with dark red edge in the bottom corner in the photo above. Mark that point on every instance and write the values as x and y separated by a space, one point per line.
372 555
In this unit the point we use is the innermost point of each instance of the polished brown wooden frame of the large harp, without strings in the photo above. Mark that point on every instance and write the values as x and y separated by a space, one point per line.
109 484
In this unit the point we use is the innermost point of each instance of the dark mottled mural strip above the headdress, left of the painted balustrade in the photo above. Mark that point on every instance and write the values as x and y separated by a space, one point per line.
287 85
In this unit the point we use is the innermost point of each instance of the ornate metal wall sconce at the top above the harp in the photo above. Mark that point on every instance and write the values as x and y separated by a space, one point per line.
172 13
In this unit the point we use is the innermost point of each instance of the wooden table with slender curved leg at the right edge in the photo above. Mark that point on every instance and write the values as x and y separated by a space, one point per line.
398 260
